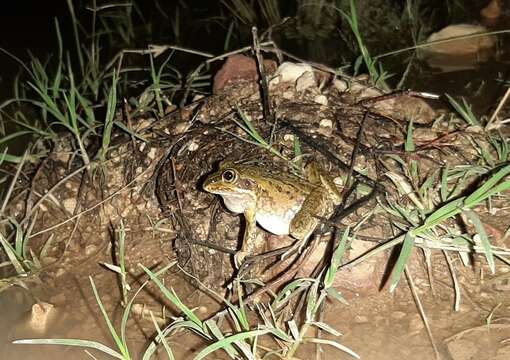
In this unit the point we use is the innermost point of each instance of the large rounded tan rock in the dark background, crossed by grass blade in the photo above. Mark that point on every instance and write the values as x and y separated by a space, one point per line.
460 46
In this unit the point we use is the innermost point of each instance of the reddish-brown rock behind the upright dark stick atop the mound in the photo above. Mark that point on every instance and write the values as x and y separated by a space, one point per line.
239 67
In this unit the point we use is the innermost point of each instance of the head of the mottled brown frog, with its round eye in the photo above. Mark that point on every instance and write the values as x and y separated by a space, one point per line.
230 179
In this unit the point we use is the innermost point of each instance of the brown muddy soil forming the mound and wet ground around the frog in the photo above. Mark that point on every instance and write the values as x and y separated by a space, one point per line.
154 190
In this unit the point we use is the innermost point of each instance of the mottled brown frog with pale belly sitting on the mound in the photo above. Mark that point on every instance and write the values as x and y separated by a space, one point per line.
281 203
